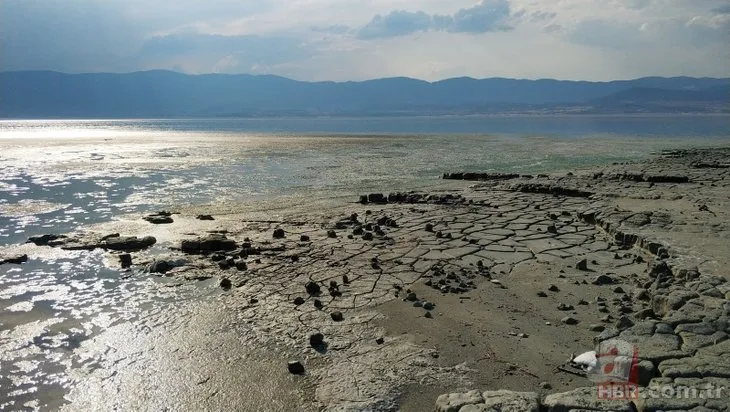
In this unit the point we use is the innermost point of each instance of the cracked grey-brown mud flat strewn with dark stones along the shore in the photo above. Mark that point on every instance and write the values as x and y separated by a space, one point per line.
391 301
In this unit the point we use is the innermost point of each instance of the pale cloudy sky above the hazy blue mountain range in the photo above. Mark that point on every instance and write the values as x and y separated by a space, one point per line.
344 40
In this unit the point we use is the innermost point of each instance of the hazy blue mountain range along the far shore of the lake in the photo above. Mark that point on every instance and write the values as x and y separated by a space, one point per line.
36 94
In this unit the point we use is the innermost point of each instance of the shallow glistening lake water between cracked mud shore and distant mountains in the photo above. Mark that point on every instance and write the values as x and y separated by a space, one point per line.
59 176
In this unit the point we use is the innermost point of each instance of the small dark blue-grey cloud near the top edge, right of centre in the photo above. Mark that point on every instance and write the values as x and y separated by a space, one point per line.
487 16
